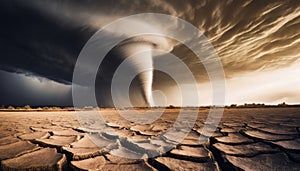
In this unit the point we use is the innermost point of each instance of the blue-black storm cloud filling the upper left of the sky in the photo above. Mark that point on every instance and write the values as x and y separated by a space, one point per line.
36 43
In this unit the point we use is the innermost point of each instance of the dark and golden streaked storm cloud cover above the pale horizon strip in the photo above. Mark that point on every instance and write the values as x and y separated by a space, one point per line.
44 38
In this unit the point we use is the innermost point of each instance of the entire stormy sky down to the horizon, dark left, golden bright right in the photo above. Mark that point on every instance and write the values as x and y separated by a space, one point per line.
257 42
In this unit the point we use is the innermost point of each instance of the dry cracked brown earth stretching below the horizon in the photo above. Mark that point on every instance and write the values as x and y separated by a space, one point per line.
245 139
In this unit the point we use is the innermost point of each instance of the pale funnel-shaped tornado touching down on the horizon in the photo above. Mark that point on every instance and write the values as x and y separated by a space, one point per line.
142 48
